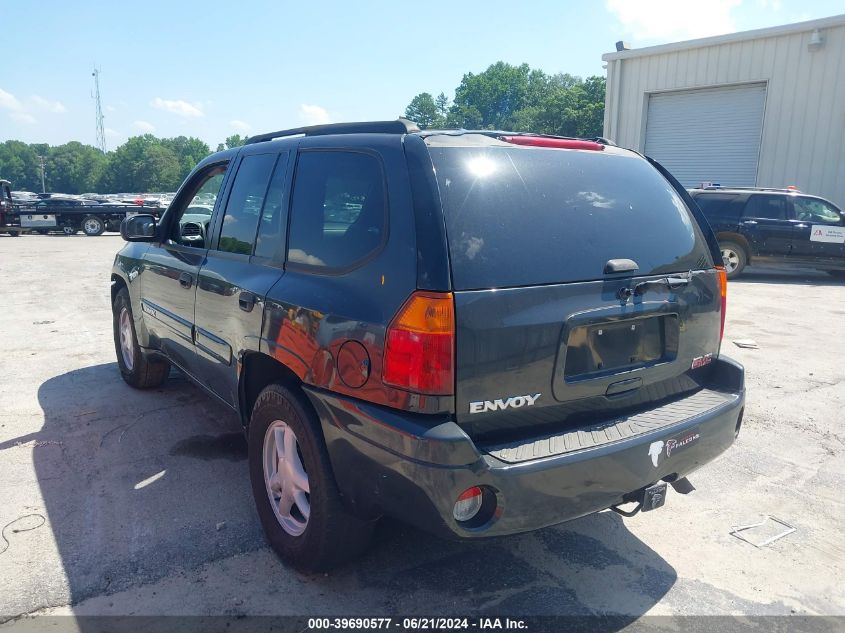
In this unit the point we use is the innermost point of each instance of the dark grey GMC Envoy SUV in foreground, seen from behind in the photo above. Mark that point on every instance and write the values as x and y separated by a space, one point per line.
476 332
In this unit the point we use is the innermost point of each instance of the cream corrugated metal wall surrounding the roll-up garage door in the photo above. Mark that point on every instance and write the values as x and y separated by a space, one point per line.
803 140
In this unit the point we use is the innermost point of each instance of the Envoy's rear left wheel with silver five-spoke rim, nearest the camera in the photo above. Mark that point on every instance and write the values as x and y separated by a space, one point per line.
294 488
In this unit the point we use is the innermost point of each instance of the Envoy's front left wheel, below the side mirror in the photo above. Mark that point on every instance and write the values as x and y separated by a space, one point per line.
138 368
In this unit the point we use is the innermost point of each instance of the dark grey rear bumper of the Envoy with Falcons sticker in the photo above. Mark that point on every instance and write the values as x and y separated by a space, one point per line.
413 468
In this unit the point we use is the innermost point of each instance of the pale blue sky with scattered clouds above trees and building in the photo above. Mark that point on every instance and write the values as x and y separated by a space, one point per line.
210 69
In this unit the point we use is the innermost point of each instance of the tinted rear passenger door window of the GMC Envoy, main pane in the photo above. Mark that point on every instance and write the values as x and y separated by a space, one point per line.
245 201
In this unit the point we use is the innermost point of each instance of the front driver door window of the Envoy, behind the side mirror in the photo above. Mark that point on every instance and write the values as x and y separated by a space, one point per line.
194 207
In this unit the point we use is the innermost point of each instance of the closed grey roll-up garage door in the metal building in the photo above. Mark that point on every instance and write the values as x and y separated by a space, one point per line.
708 135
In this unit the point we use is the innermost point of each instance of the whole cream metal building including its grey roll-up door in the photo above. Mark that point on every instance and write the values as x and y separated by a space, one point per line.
760 108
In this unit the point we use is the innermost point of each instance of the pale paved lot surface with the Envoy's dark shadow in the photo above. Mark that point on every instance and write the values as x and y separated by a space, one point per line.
146 504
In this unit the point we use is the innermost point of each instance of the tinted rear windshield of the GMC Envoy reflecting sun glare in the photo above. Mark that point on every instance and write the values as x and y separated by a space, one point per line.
520 217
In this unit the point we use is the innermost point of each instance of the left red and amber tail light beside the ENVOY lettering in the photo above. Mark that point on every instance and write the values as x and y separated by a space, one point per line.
420 345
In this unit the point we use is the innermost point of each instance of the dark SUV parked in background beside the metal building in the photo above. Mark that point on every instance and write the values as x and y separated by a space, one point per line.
782 227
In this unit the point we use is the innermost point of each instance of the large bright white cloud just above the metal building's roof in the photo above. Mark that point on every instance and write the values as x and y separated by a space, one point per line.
672 20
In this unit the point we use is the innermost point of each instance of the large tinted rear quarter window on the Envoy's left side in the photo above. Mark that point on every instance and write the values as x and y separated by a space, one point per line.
338 209
